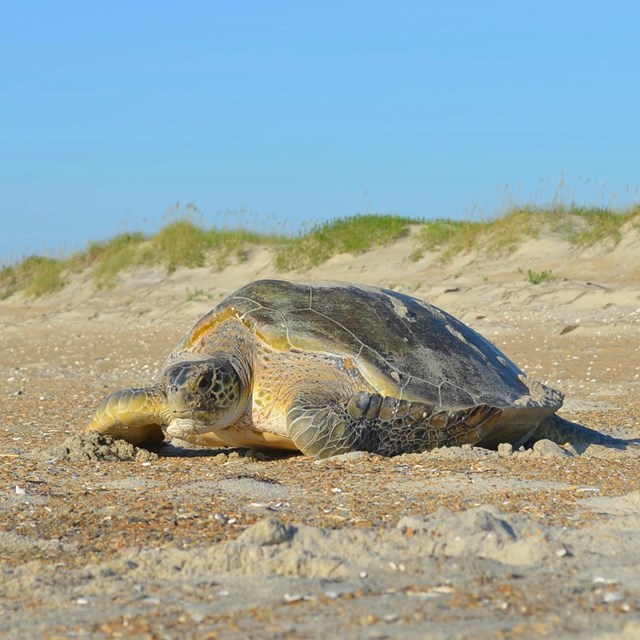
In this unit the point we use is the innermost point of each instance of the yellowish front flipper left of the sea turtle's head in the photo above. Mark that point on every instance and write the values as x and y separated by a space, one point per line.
134 415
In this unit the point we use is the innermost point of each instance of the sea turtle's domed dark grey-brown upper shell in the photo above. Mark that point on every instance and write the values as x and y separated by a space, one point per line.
403 346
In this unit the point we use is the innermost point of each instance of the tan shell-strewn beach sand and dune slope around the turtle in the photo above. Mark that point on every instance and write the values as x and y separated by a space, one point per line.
103 540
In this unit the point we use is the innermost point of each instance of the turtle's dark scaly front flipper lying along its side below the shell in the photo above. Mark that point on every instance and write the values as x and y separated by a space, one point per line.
384 425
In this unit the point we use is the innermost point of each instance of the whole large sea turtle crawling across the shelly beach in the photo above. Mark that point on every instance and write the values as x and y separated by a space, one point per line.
330 367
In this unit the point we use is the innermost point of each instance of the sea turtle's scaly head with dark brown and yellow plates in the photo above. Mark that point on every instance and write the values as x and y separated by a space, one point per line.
208 392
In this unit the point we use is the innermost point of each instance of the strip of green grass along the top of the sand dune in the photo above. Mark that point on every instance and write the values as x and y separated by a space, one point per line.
183 243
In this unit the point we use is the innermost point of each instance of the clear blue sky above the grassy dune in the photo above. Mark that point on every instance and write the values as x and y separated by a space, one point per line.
111 112
